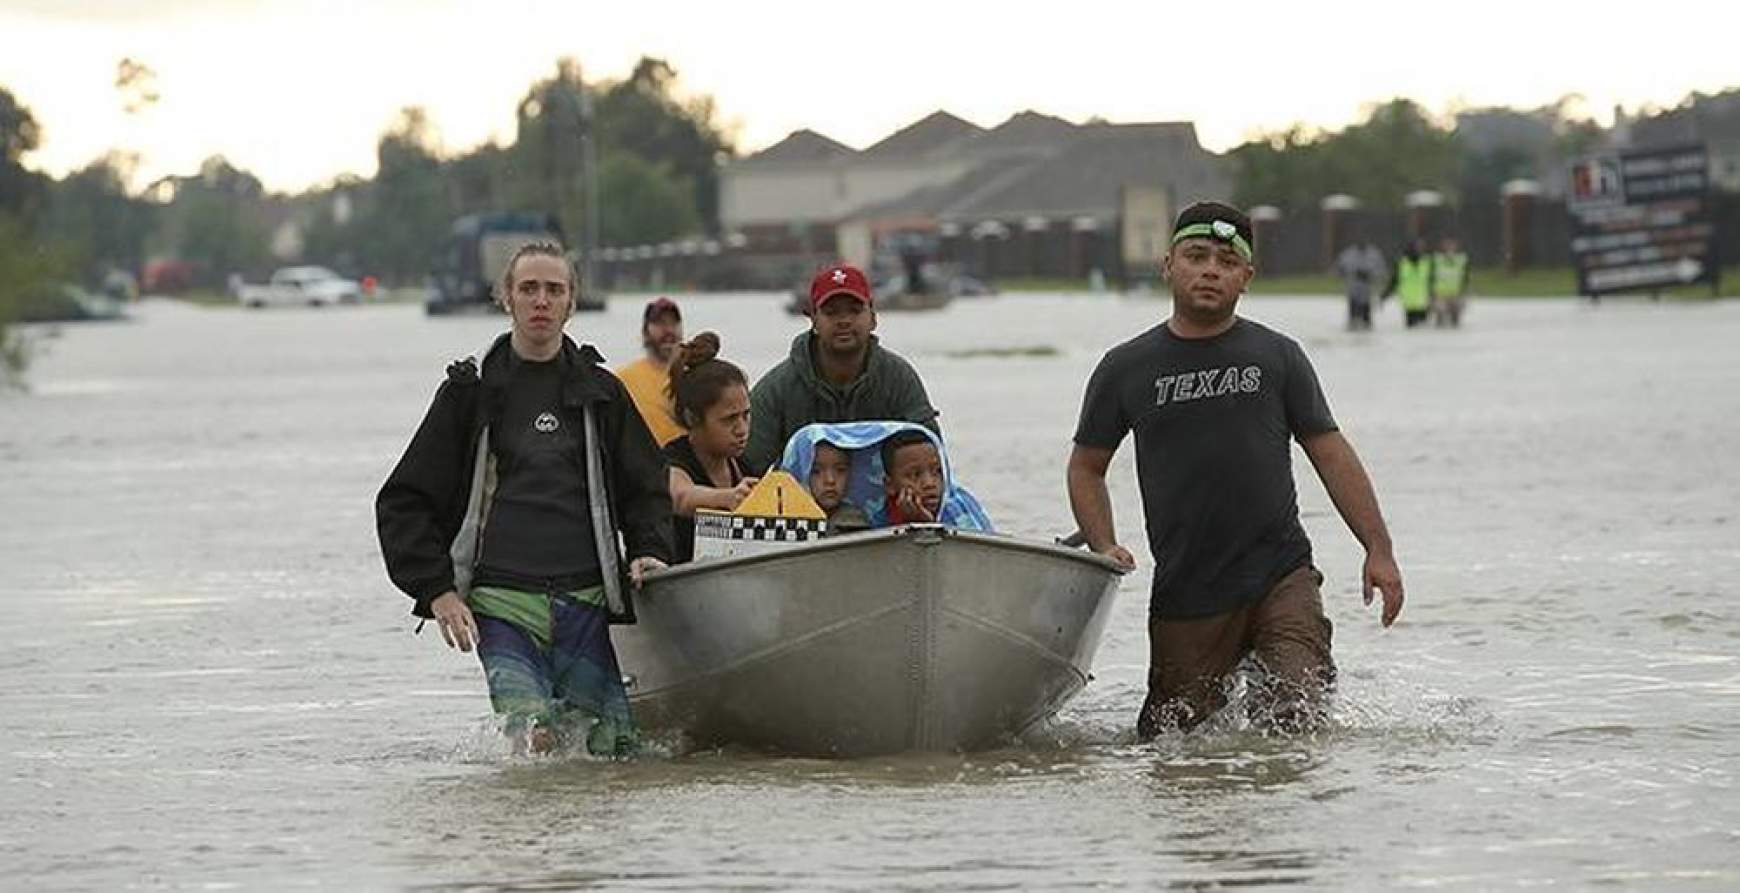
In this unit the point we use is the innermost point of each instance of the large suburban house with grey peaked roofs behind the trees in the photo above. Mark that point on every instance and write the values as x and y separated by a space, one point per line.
1033 198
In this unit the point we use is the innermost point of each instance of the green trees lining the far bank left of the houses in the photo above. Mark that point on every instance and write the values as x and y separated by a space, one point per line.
659 163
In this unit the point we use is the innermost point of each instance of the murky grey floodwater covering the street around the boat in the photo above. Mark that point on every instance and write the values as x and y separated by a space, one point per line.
206 680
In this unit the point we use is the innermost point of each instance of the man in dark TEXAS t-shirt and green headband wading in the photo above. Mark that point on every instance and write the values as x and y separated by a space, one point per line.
1215 403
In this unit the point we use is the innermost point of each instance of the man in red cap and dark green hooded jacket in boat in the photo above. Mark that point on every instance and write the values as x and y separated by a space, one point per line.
836 372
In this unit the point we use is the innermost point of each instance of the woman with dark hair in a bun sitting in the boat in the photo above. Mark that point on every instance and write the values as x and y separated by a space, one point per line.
713 403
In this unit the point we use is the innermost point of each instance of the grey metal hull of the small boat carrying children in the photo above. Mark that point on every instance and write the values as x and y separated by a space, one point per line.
916 638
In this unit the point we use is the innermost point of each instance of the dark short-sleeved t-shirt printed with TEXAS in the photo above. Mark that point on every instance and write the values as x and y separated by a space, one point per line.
1214 422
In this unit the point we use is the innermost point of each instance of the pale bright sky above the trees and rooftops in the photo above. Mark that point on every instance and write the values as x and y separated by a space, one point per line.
300 91
